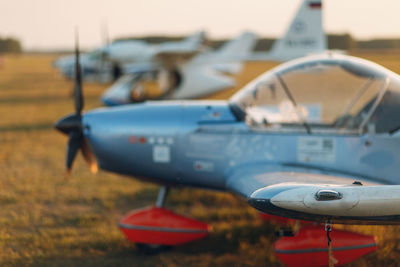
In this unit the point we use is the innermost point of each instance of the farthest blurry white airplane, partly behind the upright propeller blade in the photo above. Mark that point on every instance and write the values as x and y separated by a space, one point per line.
108 62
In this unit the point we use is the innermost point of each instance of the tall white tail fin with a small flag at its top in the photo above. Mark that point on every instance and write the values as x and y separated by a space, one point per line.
304 36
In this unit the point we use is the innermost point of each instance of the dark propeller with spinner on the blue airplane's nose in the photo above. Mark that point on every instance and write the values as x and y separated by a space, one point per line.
71 124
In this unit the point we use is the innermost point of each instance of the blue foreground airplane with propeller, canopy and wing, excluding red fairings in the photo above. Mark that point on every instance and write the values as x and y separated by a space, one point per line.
339 167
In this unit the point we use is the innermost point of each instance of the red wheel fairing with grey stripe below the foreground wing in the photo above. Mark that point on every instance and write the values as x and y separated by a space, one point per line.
308 244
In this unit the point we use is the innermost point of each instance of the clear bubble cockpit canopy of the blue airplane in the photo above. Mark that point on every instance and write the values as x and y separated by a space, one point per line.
329 90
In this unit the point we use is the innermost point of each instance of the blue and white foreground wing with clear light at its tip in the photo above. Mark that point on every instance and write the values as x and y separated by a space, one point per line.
299 194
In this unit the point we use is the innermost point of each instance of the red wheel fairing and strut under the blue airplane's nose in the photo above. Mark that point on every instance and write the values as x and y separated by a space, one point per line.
153 229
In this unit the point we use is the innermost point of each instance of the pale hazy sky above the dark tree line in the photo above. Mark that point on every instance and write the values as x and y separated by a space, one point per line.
49 24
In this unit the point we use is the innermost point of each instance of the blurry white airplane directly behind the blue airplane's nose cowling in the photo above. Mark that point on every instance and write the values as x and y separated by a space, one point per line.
179 75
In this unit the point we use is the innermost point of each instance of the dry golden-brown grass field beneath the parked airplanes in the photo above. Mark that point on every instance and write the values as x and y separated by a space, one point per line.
47 221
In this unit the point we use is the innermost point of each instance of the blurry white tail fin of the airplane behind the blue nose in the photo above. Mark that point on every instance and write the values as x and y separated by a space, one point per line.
238 48
